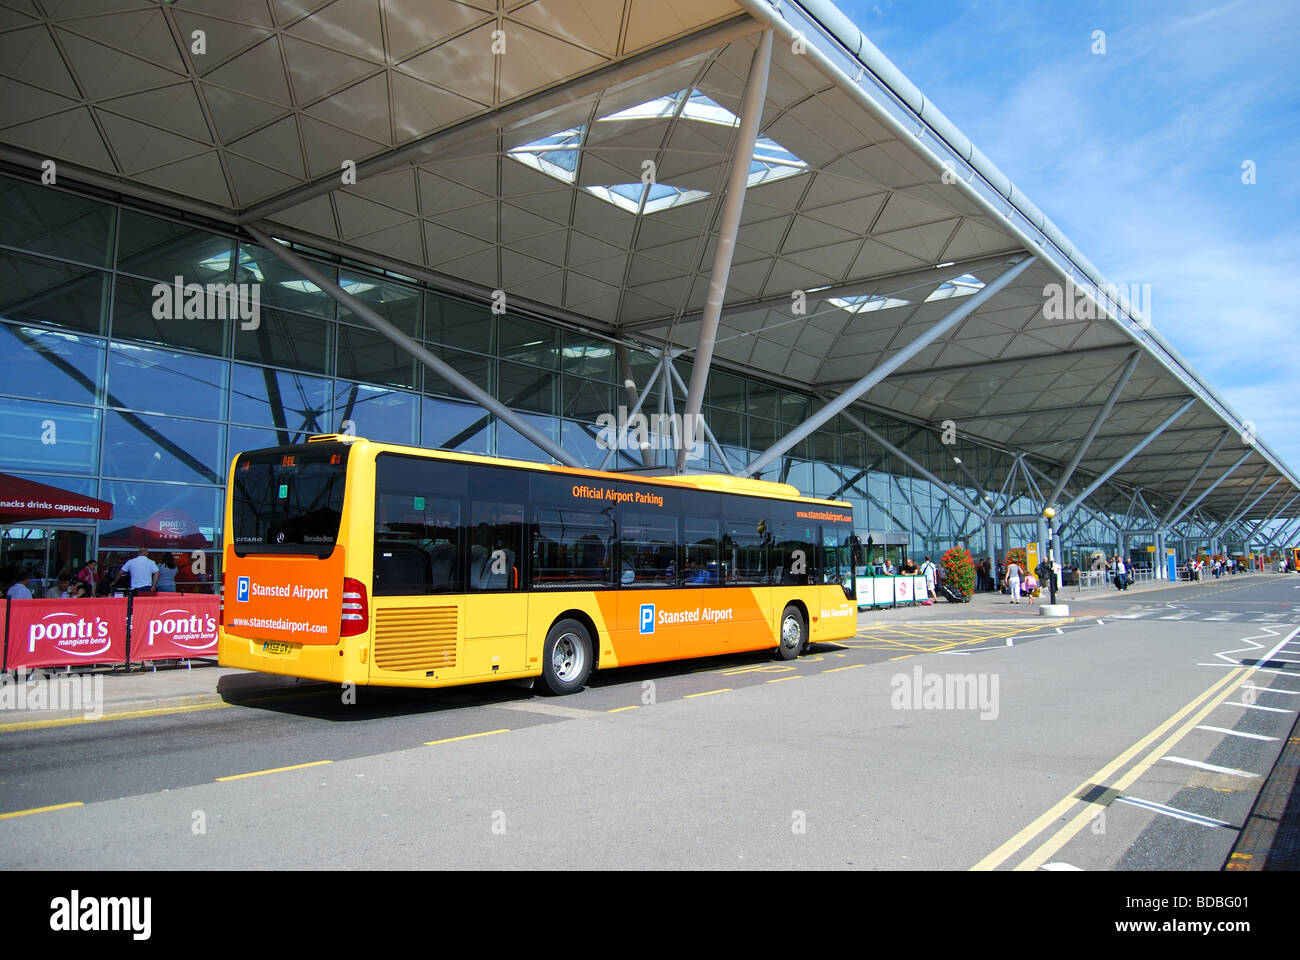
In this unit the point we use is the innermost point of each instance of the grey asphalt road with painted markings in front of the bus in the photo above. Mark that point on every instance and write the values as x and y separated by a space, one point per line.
865 755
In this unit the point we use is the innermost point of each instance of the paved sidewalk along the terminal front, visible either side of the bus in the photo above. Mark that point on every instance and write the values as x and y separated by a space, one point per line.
174 687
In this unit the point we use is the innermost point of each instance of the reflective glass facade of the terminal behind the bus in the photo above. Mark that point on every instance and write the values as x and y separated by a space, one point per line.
115 390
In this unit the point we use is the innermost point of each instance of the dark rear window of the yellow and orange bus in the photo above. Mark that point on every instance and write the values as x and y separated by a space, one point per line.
289 500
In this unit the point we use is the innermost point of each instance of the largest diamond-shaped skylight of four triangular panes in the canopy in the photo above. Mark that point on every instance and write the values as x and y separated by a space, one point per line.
558 154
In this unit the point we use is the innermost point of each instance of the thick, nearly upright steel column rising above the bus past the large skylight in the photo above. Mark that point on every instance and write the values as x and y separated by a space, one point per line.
751 119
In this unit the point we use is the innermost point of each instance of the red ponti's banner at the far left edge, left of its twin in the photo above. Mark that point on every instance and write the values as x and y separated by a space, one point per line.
55 633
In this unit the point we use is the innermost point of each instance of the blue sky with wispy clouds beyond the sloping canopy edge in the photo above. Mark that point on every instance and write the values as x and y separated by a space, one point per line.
1137 155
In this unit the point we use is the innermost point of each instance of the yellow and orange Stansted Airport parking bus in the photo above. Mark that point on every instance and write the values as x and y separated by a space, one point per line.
376 564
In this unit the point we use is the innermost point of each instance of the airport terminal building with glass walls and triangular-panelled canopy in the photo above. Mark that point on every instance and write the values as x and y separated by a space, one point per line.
514 228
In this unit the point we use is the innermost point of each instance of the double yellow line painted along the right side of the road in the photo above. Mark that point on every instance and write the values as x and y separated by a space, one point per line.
1201 707
